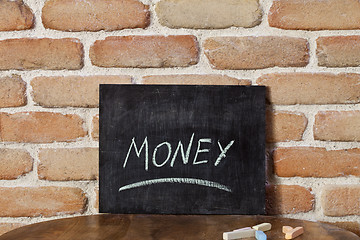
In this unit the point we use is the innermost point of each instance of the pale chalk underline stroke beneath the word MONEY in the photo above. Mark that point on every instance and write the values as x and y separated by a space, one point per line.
194 181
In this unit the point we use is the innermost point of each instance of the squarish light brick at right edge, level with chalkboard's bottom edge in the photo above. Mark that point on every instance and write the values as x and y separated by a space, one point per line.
341 200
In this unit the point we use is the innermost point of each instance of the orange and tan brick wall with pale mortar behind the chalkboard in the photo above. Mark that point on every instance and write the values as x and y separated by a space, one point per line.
53 55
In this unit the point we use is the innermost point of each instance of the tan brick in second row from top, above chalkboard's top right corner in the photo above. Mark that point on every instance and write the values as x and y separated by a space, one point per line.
256 52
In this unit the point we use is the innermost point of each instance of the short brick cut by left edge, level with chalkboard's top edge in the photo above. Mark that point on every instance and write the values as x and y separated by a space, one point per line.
12 91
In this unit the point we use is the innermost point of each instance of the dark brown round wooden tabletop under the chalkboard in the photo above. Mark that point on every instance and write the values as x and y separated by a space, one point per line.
170 227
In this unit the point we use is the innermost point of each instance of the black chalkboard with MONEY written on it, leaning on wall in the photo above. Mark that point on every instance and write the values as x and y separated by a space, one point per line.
182 149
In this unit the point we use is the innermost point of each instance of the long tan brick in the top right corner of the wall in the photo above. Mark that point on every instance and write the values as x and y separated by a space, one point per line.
315 14
